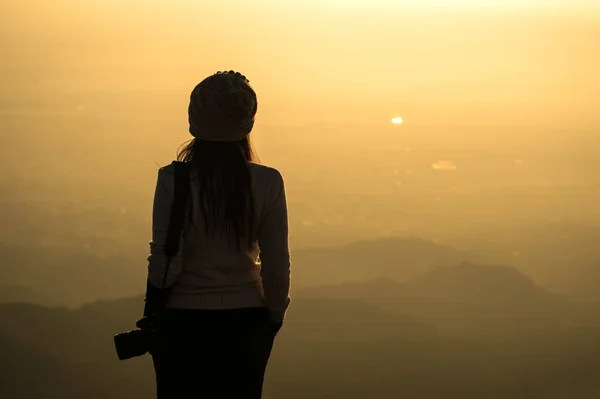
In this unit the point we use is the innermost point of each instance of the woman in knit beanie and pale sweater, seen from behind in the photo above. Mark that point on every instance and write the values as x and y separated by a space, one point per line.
223 305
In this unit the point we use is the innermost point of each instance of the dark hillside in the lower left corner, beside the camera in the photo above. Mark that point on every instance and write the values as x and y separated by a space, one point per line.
61 353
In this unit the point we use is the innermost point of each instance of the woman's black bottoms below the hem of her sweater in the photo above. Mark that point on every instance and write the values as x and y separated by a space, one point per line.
212 354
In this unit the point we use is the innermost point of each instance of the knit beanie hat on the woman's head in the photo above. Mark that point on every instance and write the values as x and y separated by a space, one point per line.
222 107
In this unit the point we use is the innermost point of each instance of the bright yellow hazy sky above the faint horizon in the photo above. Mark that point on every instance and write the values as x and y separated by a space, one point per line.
434 61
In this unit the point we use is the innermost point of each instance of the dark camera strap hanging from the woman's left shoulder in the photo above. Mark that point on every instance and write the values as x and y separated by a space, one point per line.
180 198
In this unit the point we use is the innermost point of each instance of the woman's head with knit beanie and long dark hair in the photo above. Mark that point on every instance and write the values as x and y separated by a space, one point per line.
221 116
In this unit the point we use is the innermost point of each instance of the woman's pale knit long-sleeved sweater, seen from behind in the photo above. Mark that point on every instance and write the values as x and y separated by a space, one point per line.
209 274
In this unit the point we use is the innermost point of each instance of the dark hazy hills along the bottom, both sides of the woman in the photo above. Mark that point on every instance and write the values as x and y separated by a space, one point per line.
339 343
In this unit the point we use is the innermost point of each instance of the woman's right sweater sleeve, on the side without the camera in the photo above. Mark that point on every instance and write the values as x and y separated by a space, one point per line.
274 253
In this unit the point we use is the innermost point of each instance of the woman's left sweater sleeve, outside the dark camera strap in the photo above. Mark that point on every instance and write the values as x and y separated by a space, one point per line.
161 215
